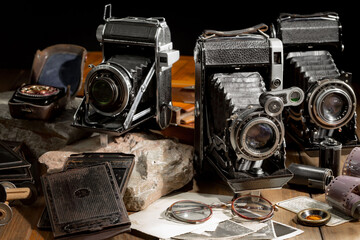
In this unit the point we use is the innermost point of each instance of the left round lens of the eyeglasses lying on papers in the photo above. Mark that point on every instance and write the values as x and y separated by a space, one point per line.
190 211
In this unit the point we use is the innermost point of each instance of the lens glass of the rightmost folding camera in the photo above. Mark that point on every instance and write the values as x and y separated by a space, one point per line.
333 107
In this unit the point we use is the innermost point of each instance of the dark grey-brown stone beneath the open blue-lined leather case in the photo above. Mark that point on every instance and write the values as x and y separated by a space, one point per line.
40 136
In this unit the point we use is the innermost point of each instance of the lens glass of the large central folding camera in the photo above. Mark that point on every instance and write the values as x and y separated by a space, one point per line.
260 137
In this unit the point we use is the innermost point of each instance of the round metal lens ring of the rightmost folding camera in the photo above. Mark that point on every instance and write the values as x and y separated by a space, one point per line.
339 90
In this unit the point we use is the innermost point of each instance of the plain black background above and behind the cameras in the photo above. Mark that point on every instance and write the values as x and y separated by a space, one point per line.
32 25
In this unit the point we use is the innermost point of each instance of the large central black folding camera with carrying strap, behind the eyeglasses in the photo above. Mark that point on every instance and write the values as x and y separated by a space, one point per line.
239 104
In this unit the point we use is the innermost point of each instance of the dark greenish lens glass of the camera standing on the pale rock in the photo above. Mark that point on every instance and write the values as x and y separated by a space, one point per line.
102 92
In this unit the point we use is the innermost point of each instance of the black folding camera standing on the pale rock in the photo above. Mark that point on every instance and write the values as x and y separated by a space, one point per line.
133 82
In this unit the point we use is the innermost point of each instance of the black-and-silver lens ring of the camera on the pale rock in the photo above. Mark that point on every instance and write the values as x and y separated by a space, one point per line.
118 84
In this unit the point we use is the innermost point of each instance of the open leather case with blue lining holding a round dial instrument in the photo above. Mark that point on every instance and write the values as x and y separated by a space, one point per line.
56 76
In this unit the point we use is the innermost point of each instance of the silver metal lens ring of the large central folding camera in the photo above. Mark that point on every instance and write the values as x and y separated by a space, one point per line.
241 128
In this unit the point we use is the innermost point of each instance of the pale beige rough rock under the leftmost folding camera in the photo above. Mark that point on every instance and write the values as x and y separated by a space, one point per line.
161 165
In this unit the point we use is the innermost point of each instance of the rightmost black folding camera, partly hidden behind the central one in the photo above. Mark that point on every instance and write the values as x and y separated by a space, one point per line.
312 46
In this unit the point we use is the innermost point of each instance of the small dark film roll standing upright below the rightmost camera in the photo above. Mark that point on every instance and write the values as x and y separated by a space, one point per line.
329 155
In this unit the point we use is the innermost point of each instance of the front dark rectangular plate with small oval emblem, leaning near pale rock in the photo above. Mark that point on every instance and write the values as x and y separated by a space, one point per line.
84 200
